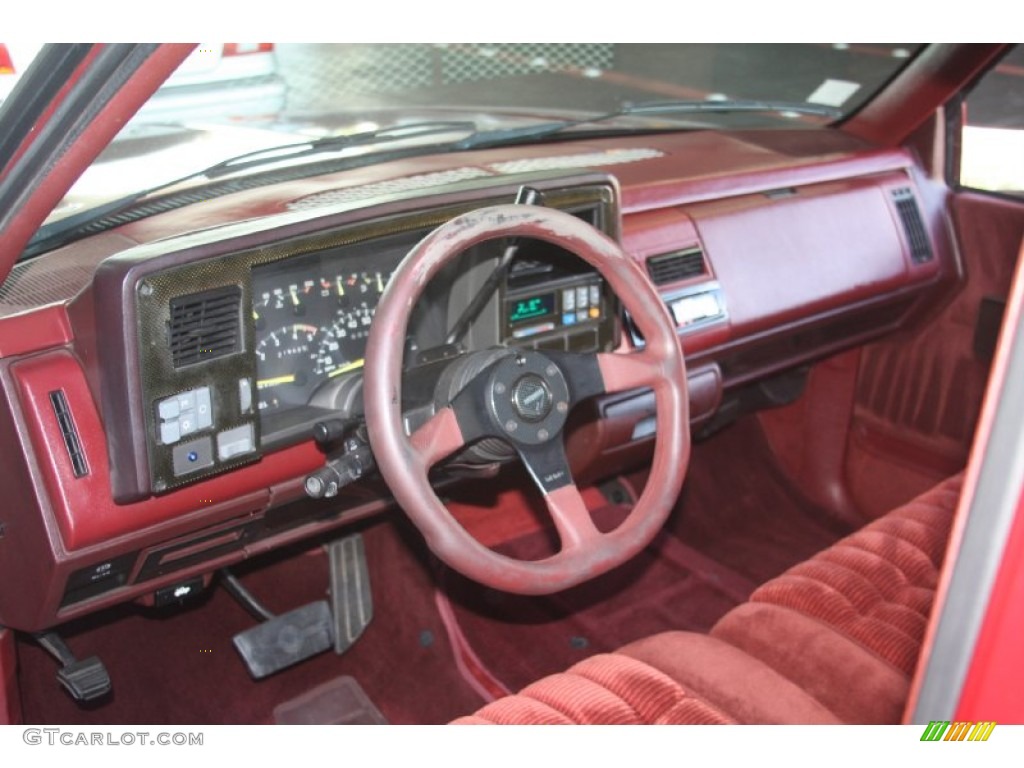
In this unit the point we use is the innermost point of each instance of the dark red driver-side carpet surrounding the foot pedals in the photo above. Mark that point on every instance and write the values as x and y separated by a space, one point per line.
181 667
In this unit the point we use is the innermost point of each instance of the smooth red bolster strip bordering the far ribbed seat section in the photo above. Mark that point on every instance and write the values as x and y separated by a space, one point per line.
840 673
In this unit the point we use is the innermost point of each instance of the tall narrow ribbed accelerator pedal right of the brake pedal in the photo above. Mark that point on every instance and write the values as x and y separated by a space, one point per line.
352 601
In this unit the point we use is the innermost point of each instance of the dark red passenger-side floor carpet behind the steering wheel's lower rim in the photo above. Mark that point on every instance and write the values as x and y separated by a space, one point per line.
738 524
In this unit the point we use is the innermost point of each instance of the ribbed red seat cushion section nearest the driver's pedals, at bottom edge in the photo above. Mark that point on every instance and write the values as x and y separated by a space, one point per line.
609 689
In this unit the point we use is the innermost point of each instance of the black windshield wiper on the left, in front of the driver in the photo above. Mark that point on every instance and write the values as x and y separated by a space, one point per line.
61 232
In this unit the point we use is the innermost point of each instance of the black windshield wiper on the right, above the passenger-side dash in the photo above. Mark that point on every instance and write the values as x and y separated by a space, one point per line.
497 138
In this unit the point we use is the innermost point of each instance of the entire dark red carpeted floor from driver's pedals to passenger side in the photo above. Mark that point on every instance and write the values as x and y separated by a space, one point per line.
737 525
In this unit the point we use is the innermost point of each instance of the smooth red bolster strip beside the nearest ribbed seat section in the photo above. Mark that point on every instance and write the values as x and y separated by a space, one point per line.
729 679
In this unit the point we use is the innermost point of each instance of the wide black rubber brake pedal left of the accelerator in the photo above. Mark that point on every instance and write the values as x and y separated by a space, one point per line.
286 641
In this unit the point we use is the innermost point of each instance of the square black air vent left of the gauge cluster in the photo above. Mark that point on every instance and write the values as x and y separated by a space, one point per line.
205 326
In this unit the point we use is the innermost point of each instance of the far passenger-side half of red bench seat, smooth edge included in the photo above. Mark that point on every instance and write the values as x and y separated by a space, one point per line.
847 625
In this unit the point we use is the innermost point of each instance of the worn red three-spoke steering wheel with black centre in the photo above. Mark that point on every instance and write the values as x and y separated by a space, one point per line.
524 398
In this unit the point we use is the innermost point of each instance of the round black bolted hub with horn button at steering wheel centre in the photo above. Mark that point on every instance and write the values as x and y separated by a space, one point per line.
529 398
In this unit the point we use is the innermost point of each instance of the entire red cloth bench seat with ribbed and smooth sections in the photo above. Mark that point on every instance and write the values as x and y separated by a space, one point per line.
835 639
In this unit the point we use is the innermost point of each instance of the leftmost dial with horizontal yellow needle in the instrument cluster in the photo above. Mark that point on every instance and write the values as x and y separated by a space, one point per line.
284 358
